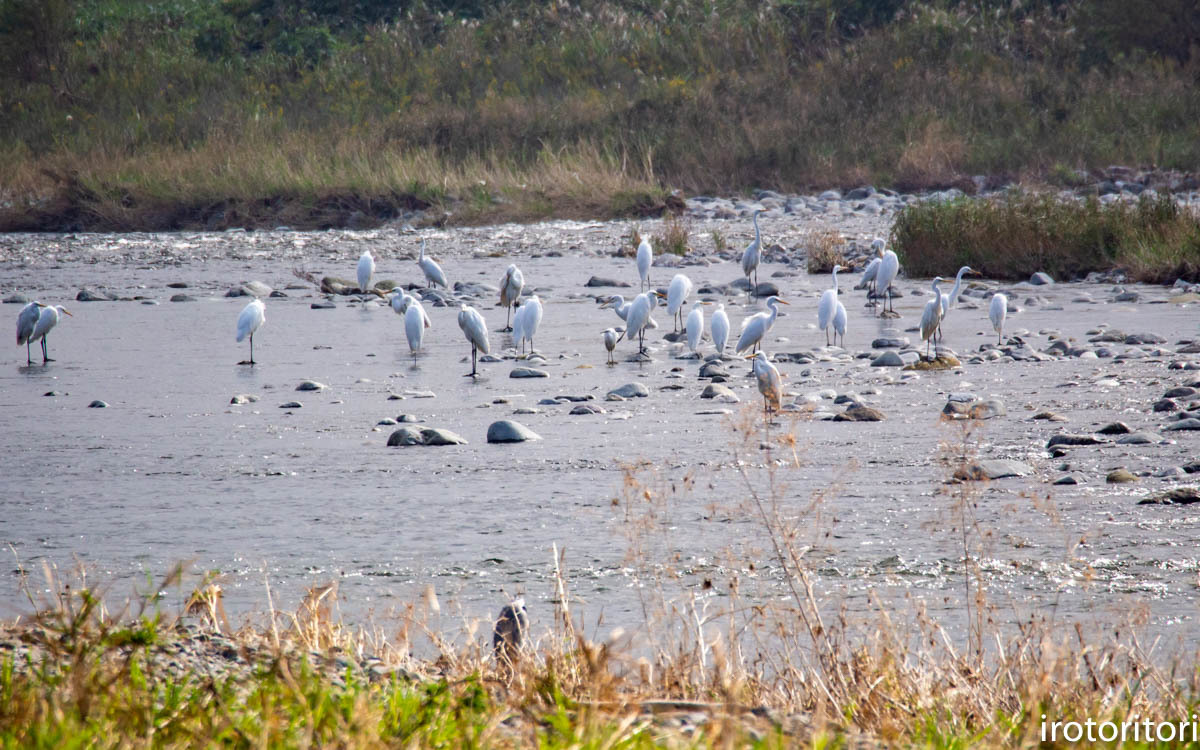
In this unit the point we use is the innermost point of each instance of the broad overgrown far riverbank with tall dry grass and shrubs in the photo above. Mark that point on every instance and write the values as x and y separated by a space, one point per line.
190 113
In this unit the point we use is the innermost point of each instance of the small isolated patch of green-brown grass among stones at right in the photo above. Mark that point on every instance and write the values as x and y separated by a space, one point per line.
1154 241
